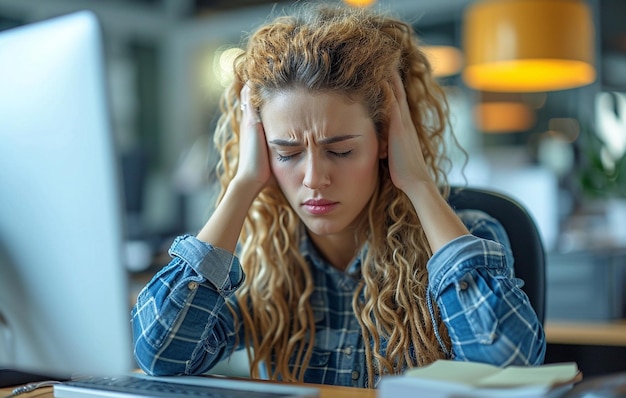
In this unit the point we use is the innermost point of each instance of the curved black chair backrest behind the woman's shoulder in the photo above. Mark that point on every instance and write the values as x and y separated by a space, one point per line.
526 243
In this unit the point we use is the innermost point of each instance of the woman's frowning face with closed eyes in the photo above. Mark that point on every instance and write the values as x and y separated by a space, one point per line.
324 154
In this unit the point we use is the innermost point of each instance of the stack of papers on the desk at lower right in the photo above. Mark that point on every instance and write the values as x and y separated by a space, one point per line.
446 379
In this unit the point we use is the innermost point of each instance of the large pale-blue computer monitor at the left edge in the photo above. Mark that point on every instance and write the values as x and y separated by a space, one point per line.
64 301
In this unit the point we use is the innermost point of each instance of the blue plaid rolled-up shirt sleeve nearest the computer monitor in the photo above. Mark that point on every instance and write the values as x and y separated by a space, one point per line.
180 323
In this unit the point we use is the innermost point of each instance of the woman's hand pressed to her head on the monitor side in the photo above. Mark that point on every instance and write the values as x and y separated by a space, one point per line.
254 166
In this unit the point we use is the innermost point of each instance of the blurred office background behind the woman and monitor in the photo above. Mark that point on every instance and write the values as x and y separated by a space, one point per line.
558 150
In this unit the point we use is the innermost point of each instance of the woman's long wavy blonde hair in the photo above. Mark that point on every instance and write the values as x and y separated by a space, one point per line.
353 52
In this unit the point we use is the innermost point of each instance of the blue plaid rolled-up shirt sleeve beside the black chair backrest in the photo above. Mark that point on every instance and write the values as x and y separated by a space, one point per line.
488 316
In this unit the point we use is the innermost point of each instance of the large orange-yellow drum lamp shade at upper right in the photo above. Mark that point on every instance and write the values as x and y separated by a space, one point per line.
528 45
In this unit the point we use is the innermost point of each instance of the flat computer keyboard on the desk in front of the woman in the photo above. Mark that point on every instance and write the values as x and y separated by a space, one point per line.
133 386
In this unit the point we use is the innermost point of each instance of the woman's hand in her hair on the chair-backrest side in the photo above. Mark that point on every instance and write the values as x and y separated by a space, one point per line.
406 160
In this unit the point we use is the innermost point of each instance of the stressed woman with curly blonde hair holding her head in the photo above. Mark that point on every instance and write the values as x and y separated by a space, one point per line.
333 197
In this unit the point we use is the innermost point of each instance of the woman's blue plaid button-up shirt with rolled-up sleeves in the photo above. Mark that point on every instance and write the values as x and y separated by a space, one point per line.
182 326
